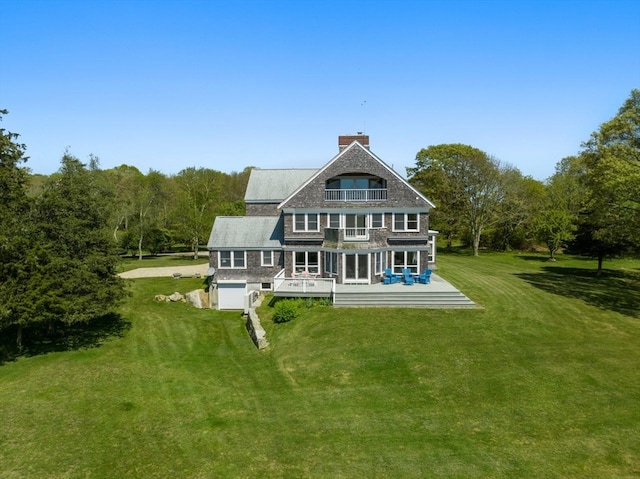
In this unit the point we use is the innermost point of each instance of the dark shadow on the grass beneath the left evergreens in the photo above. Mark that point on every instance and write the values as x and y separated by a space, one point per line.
65 338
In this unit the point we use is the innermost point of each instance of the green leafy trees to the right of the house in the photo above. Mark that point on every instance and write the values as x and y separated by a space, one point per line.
591 205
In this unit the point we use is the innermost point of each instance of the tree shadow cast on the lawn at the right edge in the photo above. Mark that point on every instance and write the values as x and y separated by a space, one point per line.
617 291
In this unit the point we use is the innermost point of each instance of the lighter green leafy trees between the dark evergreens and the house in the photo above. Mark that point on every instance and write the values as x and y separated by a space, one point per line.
158 213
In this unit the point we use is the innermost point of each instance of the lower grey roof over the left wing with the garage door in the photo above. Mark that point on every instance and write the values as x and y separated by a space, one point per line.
246 232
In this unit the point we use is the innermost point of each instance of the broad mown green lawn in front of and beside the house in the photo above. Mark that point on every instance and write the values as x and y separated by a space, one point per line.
542 381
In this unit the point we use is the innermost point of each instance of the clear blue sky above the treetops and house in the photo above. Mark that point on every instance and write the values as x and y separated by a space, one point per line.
229 84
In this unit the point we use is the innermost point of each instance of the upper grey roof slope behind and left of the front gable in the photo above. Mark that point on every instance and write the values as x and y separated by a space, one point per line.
275 185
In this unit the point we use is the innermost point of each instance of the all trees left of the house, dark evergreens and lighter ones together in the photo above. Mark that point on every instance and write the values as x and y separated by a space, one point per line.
62 236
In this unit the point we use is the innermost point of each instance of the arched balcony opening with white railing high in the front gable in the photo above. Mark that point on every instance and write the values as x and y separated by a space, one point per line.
356 187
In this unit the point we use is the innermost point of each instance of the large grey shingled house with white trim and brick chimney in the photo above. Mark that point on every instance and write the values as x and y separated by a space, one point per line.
307 230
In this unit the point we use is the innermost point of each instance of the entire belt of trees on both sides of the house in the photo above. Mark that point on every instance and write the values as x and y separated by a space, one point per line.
61 236
